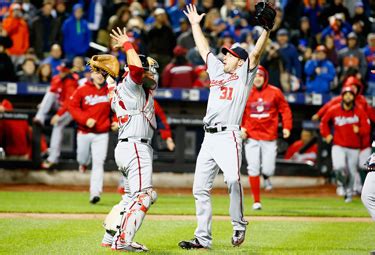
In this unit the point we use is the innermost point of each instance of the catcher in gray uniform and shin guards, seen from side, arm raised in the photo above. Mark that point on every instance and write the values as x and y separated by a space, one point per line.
132 101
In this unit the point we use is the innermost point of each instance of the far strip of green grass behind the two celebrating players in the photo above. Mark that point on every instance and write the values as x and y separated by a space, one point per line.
77 202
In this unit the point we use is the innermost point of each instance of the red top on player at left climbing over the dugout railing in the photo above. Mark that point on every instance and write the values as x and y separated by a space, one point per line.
64 88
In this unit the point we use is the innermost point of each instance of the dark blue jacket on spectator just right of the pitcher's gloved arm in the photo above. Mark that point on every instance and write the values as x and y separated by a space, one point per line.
289 55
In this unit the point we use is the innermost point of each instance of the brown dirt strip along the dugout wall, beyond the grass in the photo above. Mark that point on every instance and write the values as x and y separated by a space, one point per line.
318 191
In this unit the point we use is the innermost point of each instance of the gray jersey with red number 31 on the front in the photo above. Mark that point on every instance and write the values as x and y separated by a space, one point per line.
228 92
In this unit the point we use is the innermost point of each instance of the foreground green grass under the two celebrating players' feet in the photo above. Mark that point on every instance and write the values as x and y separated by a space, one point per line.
36 236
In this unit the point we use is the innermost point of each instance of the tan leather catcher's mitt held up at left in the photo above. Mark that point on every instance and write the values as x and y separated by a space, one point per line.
107 63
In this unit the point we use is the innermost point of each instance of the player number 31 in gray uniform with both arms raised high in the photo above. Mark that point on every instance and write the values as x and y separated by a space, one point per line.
231 81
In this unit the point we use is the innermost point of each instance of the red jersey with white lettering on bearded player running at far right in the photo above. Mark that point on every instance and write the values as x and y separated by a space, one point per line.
343 122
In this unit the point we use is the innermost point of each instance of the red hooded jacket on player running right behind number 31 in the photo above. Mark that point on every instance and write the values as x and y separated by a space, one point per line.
261 116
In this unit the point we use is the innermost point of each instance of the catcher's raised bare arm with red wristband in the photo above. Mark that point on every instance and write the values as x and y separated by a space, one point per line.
122 40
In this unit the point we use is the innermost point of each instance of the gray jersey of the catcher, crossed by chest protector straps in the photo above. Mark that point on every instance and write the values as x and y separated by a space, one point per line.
134 109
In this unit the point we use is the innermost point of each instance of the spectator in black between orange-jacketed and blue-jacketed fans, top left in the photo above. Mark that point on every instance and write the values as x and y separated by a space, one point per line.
44 30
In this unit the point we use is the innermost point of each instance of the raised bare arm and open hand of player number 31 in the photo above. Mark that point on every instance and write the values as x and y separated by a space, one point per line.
200 41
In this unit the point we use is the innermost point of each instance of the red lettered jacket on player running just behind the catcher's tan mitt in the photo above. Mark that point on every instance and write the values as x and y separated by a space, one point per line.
90 102
